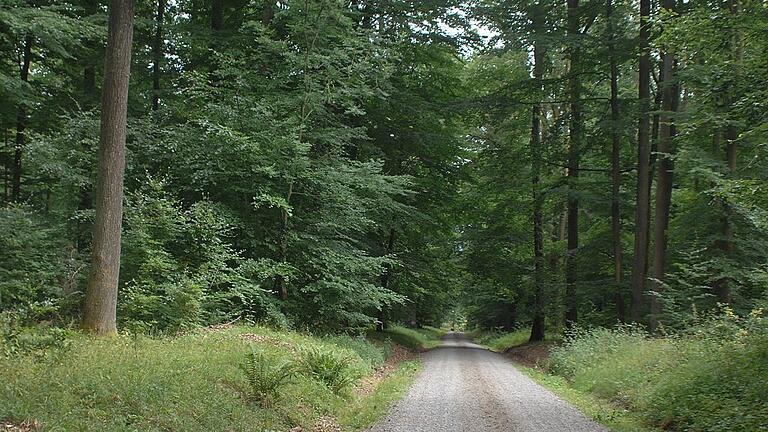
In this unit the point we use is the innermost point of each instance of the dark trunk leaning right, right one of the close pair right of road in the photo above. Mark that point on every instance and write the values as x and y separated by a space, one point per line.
664 174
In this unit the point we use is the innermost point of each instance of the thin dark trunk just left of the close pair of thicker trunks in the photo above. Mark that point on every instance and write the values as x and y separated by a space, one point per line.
615 163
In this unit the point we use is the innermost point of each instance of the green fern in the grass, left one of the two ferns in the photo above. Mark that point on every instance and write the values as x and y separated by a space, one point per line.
266 374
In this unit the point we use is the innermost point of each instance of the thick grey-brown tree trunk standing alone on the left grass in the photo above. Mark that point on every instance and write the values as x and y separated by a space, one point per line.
101 295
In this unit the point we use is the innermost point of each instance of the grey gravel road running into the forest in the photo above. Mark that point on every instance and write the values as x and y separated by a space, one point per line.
465 388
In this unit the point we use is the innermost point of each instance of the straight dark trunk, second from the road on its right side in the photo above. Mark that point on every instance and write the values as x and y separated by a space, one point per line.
574 96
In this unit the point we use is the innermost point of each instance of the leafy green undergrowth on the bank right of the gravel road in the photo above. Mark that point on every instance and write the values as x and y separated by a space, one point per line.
703 379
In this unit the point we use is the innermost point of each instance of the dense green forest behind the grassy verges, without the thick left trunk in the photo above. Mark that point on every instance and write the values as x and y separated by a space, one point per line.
332 164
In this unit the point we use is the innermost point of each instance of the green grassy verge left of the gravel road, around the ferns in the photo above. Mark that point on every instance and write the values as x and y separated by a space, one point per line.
192 382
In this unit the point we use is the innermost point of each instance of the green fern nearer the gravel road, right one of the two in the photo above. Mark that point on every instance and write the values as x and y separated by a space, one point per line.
333 369
